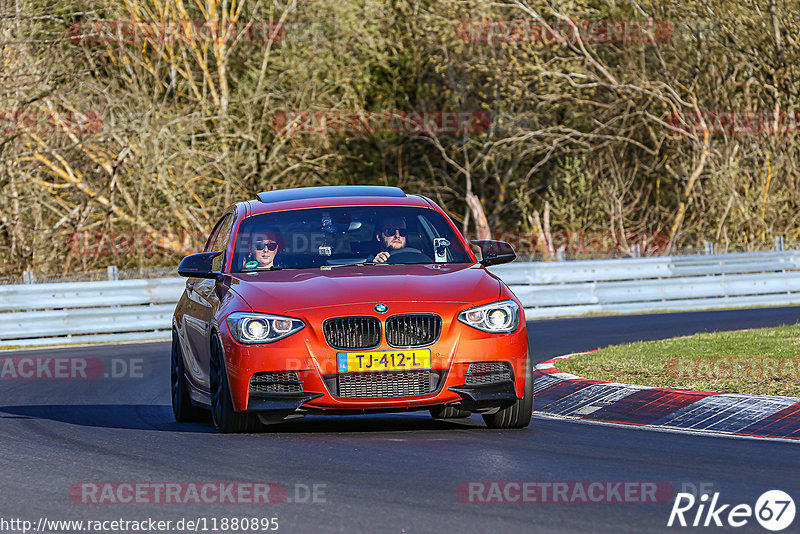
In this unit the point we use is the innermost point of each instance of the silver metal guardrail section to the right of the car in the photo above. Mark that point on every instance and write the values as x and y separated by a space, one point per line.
655 284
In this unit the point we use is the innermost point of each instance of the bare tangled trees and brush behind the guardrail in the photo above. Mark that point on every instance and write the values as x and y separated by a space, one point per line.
150 137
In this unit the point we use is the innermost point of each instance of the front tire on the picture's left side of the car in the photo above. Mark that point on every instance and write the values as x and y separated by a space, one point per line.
224 417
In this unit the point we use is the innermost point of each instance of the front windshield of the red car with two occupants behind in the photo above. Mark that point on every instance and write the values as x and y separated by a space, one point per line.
349 235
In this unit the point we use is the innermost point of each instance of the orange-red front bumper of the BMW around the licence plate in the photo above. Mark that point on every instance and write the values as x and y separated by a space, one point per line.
308 354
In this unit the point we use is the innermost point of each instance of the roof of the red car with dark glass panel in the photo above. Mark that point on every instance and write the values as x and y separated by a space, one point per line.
332 196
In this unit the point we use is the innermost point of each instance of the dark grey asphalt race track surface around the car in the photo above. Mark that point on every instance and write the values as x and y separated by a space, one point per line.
389 473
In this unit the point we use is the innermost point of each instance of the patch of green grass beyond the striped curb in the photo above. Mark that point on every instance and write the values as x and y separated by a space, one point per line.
762 361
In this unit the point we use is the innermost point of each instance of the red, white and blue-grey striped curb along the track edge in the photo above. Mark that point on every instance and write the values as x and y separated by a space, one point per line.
565 395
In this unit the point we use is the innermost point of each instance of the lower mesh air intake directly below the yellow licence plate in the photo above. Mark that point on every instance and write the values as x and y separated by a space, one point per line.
386 384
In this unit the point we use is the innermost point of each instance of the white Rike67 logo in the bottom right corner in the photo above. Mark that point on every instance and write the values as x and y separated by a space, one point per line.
774 510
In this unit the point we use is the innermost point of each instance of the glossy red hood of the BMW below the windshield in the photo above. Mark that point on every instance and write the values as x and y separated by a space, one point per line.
287 290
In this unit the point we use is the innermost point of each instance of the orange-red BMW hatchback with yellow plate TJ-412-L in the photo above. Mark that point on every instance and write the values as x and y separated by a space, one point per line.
346 300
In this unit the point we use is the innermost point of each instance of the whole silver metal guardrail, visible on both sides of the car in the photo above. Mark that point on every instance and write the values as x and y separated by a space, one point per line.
127 310
